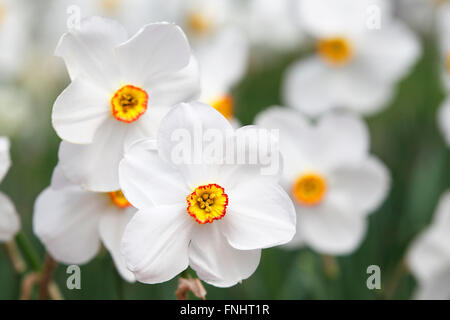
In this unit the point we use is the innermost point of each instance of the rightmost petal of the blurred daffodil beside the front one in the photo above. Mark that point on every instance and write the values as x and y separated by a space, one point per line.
365 186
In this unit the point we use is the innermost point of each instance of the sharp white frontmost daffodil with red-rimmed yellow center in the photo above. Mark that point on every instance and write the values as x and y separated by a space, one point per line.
213 217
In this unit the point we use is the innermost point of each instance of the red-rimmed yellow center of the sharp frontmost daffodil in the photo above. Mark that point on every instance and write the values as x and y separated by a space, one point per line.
207 203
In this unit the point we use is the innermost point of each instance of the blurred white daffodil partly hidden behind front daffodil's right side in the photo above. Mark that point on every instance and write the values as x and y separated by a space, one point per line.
331 177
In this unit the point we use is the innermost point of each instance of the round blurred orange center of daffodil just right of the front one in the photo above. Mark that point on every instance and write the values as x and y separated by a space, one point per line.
309 189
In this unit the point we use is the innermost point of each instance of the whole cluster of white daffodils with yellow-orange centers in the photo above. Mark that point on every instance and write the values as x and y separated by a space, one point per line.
116 183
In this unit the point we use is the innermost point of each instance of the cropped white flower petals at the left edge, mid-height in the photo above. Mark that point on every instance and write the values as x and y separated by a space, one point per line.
9 219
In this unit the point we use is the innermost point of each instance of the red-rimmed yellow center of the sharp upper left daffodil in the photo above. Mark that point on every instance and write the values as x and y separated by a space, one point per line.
129 103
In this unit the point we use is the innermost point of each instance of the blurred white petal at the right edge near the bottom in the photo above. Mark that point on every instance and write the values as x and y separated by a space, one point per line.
429 254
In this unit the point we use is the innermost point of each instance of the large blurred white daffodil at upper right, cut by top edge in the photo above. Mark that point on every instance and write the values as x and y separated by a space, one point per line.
361 53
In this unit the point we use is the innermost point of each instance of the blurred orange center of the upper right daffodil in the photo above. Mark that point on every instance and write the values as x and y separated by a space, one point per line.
337 51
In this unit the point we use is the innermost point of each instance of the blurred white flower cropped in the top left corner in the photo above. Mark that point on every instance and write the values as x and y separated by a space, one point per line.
13 36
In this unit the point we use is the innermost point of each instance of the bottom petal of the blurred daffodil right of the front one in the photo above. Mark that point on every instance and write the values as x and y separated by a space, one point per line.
331 227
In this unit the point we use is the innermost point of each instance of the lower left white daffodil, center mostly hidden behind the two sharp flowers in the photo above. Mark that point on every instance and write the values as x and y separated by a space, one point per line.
72 222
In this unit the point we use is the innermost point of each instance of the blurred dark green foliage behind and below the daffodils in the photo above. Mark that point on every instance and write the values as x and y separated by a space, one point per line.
405 136
